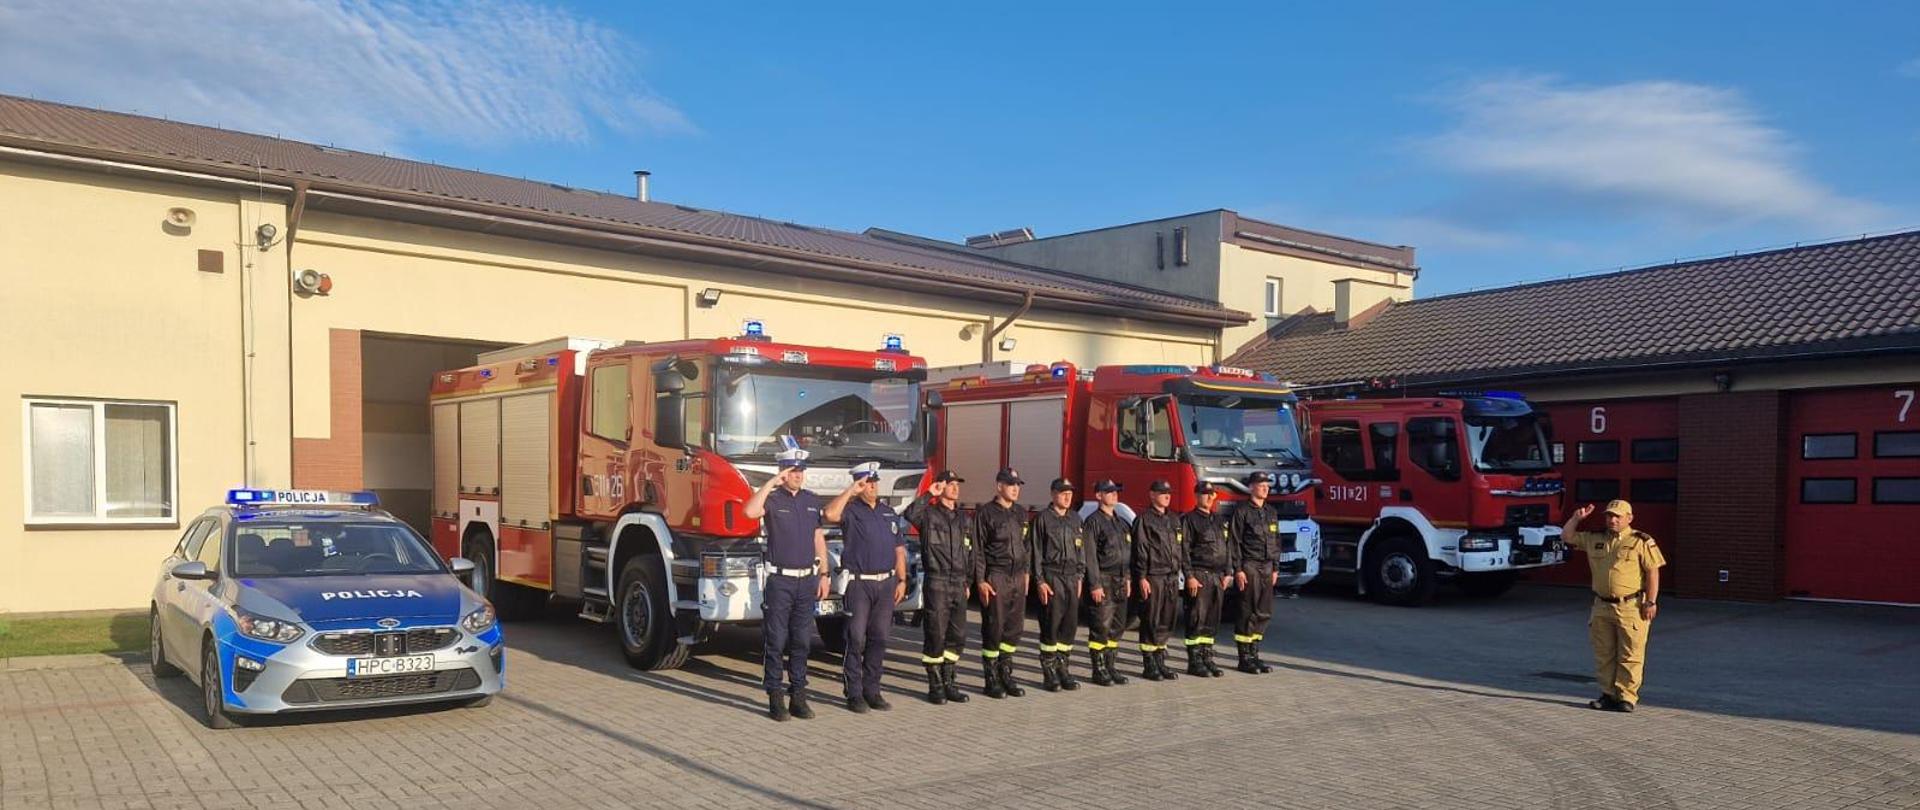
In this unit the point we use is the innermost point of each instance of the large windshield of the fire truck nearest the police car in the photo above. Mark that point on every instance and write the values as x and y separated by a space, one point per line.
840 416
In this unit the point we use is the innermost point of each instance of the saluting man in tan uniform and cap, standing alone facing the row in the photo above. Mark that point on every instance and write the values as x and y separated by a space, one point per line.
1627 586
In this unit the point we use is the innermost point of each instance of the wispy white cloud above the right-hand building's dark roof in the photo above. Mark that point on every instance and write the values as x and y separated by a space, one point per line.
1662 147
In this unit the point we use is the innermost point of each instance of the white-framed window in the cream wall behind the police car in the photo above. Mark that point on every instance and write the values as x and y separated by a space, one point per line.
93 462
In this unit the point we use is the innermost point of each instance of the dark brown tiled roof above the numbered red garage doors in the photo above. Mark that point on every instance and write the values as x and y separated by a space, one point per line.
1819 300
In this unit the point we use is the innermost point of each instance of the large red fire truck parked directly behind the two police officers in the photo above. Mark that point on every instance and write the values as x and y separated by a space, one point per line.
617 475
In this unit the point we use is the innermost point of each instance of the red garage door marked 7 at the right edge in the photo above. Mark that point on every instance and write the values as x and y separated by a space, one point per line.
1854 494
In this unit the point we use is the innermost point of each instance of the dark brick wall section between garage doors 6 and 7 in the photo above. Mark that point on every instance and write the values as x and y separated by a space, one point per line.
1731 510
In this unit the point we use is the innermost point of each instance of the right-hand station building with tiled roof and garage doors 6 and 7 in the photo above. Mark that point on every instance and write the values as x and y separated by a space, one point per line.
1758 410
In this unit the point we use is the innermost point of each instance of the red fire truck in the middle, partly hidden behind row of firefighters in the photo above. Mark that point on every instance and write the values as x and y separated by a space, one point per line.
1136 425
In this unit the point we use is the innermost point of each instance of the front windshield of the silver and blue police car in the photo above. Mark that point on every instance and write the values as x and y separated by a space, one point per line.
325 548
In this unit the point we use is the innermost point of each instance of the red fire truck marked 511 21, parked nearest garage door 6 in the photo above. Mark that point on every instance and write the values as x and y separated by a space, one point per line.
1428 488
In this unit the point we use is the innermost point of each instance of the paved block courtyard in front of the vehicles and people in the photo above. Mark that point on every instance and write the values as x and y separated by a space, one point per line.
1466 703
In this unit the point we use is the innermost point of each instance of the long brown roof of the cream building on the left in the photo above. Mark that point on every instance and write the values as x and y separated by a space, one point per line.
133 139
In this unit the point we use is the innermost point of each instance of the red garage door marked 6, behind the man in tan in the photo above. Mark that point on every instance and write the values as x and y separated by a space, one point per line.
1620 448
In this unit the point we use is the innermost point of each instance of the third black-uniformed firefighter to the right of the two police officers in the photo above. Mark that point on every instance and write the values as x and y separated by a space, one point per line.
1061 561
